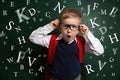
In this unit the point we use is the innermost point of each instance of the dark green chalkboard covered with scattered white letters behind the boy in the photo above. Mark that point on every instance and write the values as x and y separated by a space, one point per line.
22 60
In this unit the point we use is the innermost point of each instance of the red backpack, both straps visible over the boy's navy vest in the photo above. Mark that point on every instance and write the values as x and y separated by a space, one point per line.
52 47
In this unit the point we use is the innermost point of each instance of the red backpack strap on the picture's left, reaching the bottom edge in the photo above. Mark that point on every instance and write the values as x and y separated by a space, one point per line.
51 51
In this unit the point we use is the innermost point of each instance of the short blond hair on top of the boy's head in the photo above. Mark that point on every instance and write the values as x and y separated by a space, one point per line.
69 13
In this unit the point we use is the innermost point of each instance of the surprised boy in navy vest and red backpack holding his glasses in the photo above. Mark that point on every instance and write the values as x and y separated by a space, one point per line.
66 51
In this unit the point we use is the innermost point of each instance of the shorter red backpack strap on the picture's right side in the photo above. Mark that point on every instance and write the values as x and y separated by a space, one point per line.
81 46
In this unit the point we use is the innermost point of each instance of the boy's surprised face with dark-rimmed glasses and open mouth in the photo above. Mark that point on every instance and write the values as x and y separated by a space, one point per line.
70 28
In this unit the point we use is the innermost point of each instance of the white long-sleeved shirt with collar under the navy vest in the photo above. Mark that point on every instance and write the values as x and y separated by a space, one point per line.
40 36
